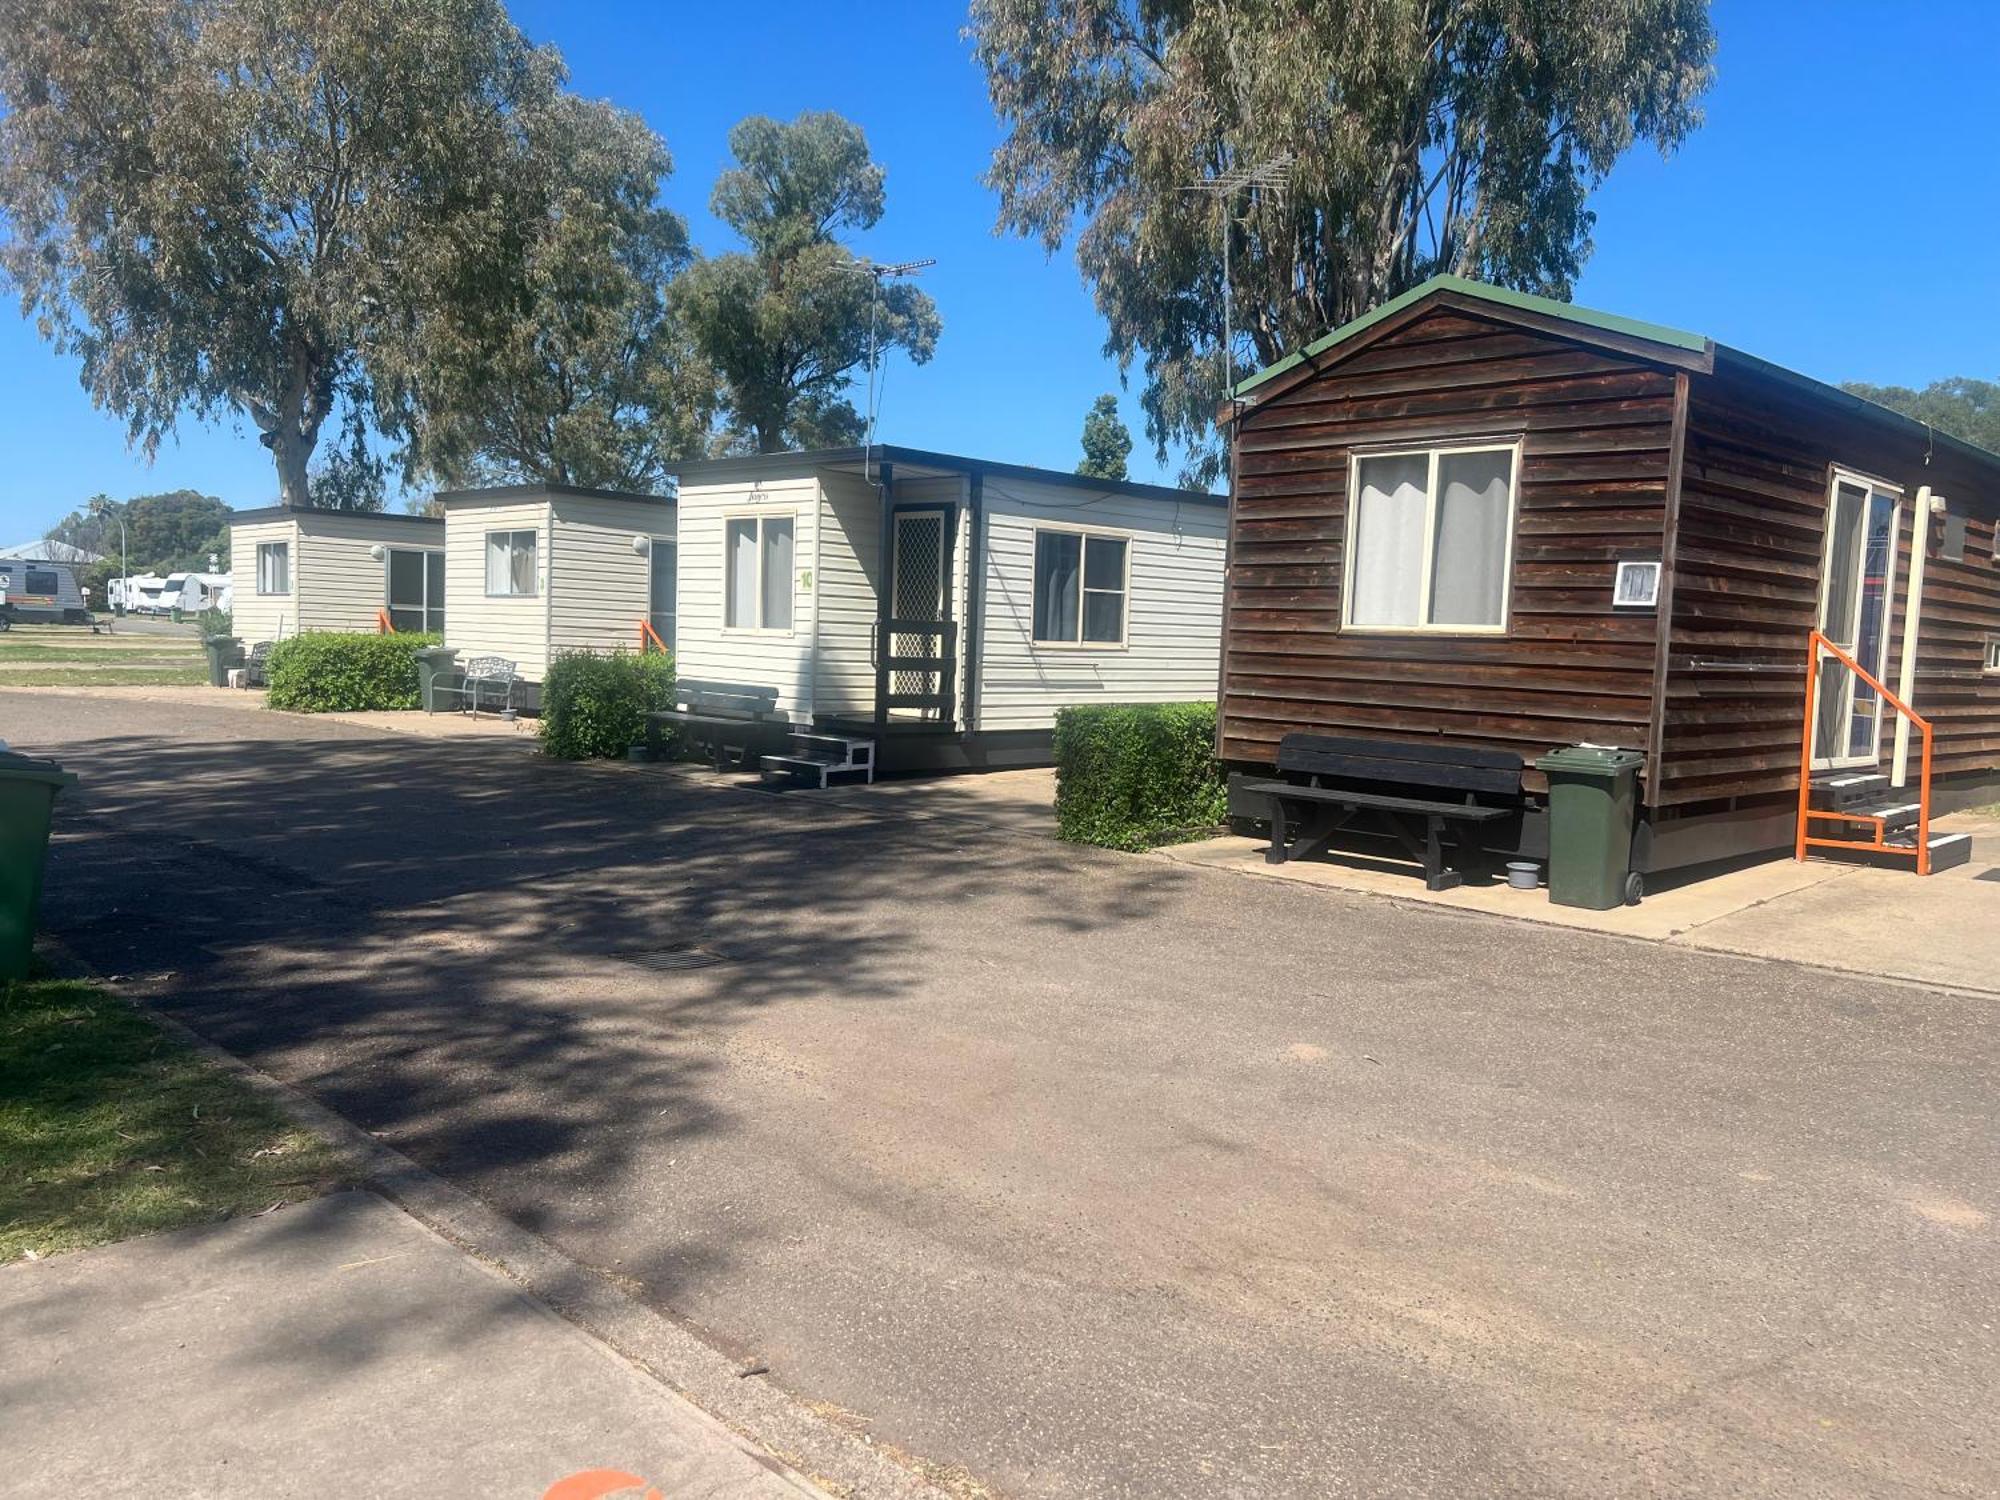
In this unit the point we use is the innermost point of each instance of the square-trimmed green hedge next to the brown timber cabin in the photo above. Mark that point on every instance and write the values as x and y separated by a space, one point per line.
1139 777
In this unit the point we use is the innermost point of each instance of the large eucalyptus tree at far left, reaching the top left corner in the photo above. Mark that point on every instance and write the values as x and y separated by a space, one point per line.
241 209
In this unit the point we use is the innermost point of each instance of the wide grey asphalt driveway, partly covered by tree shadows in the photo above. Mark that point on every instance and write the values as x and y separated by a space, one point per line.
1099 1177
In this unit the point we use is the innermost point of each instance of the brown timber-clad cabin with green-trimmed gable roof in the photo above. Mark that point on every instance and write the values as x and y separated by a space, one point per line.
1487 519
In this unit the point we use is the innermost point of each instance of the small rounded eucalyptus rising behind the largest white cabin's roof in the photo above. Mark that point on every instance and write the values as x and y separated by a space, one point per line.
789 321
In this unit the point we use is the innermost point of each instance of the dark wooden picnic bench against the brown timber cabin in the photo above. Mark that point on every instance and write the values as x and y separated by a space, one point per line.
1329 783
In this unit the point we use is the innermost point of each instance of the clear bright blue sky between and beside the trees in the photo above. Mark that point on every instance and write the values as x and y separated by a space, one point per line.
1839 215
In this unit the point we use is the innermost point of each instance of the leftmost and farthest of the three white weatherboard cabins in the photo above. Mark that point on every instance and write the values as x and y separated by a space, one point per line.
301 569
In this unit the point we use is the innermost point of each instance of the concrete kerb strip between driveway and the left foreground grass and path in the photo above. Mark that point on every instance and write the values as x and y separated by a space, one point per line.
801 1443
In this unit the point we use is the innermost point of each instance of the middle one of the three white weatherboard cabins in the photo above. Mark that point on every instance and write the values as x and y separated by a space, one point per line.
537 569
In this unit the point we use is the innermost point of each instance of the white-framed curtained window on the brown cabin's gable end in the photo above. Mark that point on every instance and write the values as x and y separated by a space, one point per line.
1433 539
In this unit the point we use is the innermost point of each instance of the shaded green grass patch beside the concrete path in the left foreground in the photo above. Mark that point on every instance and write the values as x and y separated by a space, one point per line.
111 1129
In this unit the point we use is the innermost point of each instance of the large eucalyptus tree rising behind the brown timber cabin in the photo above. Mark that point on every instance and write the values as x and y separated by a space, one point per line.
1423 137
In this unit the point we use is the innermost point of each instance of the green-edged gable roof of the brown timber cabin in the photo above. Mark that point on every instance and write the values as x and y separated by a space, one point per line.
1675 347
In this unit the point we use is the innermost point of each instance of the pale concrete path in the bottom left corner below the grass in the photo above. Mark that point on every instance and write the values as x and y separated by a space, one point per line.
333 1349
